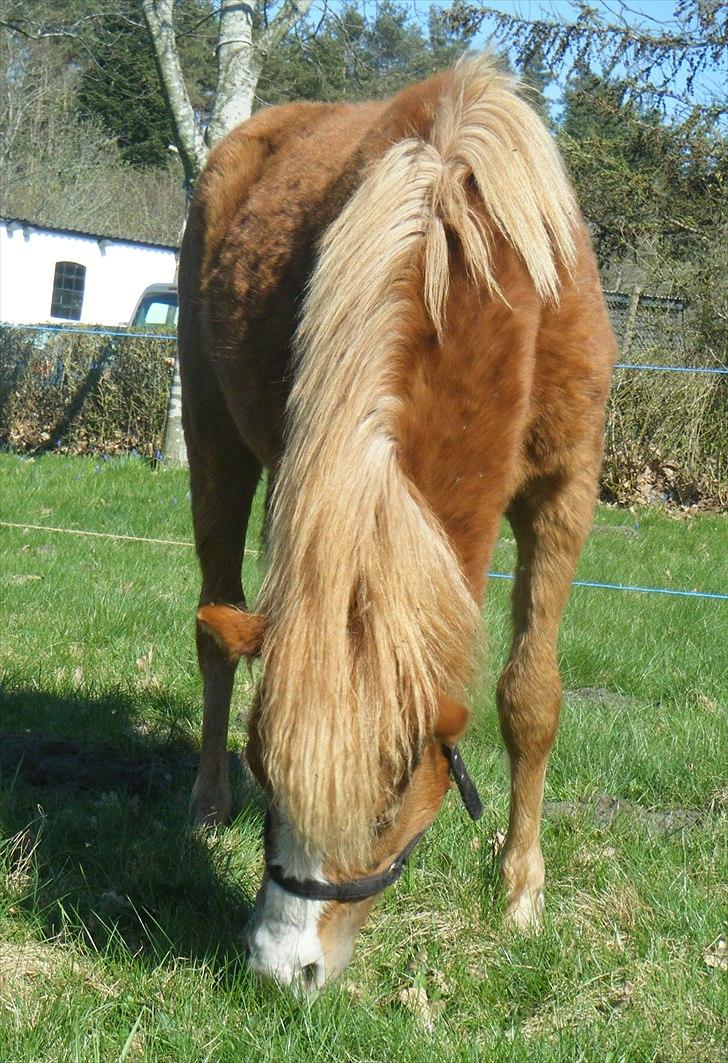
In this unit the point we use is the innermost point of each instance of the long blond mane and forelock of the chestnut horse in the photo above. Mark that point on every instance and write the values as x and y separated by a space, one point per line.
370 615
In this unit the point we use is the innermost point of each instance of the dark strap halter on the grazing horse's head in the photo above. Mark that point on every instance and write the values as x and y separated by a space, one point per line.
361 889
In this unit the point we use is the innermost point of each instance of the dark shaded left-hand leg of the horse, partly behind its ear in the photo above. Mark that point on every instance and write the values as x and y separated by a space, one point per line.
224 477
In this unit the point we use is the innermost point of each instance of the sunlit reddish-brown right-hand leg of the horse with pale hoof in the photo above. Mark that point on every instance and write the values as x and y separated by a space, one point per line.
551 518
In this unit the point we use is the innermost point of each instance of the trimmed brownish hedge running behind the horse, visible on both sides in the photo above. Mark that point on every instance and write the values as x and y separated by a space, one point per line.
80 393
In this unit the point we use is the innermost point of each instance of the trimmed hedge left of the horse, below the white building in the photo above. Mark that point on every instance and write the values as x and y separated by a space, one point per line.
79 393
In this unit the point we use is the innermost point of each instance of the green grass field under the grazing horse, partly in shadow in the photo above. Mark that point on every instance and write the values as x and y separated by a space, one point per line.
122 936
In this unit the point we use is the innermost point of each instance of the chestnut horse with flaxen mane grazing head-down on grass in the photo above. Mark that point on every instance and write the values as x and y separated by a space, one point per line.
395 309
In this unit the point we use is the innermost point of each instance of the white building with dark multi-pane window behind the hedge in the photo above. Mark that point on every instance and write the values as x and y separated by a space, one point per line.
52 276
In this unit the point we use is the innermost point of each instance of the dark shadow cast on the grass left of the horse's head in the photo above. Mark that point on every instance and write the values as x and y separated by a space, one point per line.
99 835
